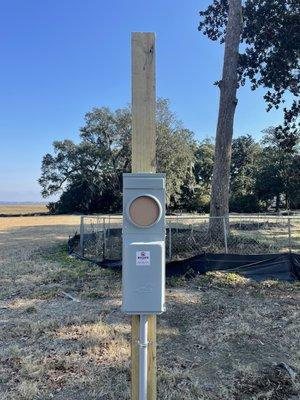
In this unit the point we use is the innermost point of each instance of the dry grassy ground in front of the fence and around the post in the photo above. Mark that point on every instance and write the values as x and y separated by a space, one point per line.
222 337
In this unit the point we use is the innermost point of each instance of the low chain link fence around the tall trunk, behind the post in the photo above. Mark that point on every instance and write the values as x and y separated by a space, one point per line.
186 236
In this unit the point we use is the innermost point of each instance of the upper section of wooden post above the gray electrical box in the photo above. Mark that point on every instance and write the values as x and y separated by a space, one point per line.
143 102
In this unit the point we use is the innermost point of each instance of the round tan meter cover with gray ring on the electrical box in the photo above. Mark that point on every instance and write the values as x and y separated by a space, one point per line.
144 211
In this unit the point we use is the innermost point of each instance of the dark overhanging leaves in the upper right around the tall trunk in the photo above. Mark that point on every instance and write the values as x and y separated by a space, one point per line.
270 47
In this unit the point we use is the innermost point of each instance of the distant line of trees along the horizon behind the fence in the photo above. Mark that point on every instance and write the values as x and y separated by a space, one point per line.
88 175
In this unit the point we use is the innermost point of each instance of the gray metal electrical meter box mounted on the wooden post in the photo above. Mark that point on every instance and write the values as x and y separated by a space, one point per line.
143 266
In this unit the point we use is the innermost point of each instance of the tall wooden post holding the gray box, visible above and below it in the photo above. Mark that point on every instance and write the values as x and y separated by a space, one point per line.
143 160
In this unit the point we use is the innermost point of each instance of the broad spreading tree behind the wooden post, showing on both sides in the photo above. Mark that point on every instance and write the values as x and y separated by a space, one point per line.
89 174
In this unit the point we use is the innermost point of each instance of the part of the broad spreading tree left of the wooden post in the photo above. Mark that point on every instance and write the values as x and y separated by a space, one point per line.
89 171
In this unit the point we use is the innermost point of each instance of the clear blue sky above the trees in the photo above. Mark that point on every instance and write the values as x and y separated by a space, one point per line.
60 58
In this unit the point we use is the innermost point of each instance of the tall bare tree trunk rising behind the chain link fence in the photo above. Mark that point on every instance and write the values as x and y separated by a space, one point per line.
228 101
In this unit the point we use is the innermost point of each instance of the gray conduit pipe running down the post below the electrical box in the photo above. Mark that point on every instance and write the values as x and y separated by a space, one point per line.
143 350
